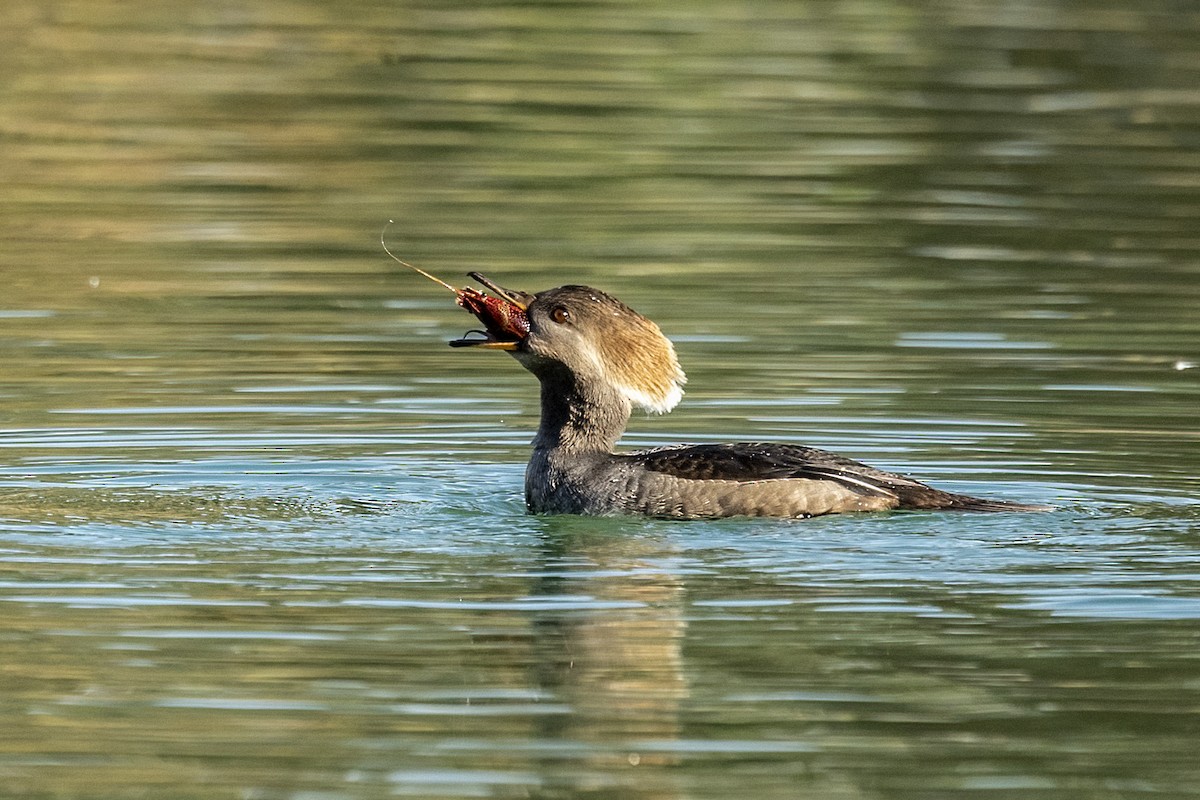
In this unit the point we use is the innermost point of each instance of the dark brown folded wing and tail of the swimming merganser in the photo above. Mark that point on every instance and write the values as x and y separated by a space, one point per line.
772 462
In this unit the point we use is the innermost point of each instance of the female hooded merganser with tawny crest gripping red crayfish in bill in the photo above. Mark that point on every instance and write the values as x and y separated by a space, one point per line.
597 359
